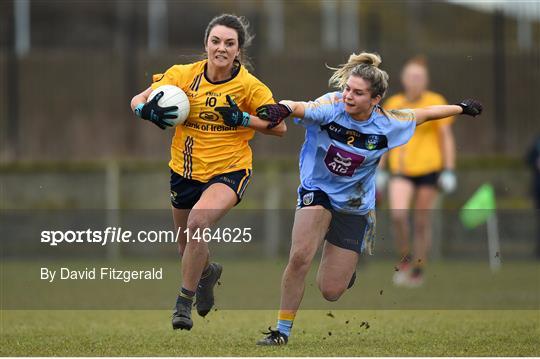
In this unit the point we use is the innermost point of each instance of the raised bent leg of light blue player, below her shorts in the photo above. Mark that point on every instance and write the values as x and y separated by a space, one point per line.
335 271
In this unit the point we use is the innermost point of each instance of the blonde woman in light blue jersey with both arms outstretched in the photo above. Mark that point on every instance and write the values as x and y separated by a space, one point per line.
346 135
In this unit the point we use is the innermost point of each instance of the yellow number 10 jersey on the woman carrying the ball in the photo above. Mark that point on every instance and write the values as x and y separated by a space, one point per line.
203 146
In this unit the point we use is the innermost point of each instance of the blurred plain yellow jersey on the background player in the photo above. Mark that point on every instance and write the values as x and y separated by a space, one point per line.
423 153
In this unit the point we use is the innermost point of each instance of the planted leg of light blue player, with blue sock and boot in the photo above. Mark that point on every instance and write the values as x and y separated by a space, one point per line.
310 227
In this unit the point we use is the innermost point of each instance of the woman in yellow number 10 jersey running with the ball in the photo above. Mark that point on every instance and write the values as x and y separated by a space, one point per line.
211 159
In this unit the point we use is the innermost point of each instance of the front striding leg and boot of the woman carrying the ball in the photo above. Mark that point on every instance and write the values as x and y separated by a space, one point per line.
214 203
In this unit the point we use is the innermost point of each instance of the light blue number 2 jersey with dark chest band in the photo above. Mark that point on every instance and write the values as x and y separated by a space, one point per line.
340 155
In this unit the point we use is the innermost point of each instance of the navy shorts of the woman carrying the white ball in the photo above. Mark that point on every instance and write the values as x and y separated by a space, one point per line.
186 192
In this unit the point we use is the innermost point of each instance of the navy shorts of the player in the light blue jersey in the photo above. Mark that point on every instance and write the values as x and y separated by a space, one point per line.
348 231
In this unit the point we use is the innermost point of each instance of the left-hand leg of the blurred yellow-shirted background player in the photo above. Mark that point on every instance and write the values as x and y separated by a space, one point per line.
400 192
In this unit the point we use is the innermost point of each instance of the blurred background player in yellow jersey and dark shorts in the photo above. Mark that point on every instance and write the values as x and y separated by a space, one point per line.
416 171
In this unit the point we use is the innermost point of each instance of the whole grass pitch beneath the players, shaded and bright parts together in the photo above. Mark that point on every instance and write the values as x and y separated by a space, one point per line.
467 312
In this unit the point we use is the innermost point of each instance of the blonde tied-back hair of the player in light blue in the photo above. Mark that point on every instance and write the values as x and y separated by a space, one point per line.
364 65
